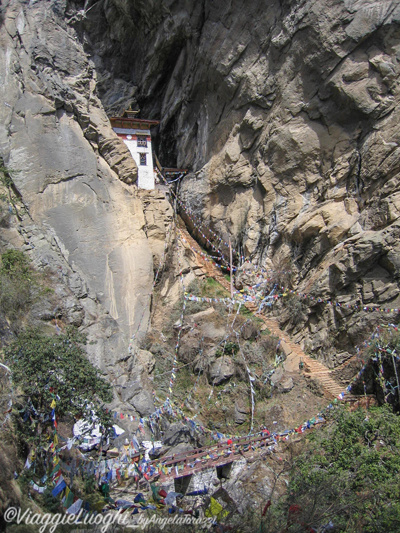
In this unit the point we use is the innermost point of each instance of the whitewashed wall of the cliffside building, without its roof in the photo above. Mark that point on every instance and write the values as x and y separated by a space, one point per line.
145 173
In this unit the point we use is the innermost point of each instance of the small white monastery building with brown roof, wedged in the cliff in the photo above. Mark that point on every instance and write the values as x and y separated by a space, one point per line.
136 134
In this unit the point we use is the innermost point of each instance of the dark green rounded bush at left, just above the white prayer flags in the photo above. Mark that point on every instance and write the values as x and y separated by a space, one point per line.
47 368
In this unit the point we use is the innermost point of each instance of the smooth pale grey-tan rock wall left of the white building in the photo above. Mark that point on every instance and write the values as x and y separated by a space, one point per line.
81 217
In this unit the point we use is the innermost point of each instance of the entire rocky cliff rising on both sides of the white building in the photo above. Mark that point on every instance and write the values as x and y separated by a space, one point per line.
285 112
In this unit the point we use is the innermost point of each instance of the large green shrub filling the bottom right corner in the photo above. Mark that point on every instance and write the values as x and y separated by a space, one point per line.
349 473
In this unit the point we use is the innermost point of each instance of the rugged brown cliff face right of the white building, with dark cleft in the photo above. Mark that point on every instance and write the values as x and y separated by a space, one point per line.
287 113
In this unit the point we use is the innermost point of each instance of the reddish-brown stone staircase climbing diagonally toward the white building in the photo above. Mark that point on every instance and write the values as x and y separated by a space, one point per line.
312 368
